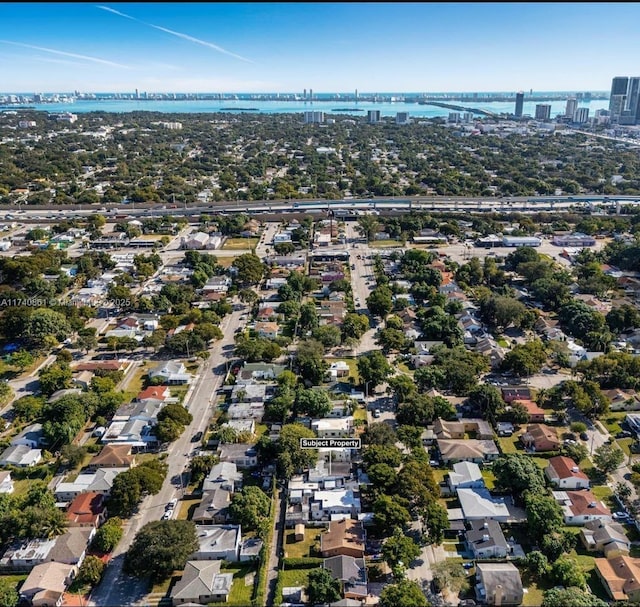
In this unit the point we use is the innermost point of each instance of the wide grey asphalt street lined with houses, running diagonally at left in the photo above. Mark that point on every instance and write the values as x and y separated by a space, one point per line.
116 588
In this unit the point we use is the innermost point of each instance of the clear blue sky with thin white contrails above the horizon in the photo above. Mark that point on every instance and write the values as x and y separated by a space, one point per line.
329 47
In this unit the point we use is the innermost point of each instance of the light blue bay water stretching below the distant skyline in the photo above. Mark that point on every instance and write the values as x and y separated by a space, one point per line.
293 107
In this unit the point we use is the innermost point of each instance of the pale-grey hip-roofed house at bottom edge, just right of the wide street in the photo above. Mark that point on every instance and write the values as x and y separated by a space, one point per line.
202 583
